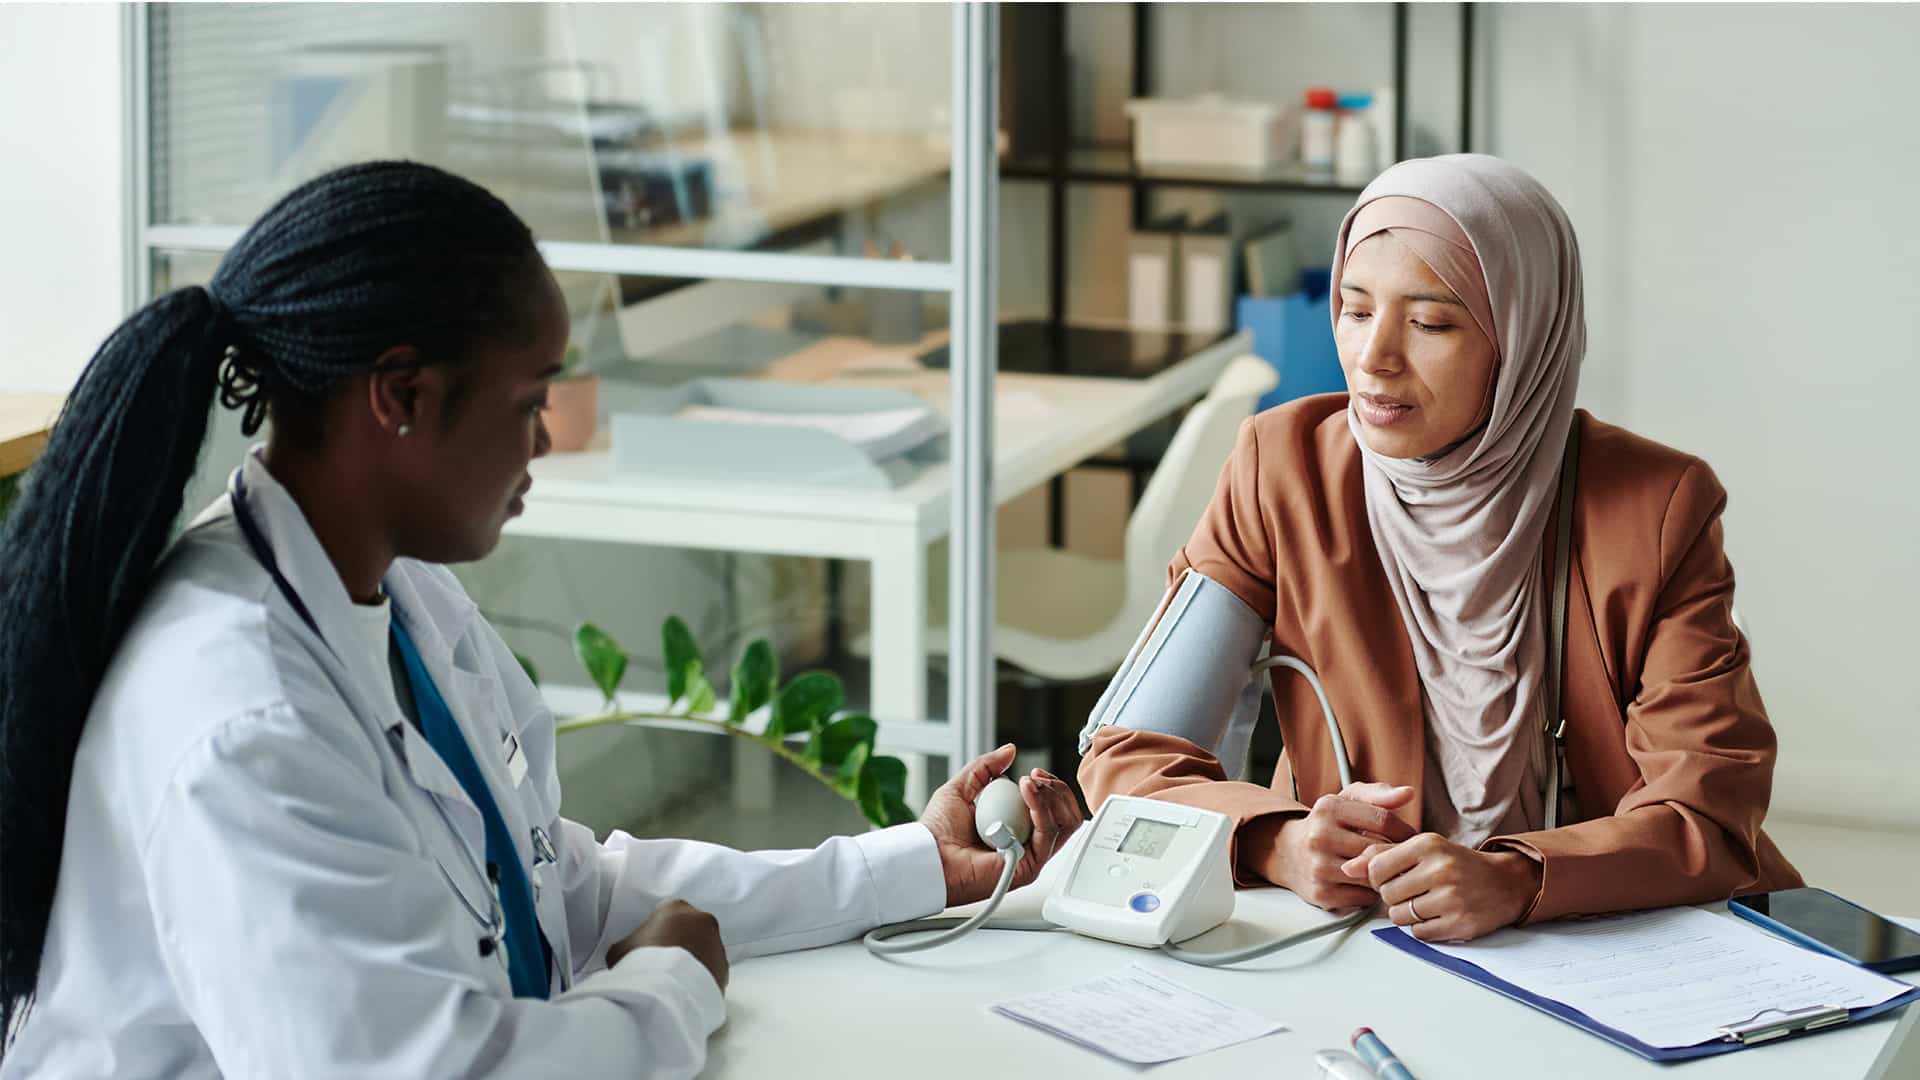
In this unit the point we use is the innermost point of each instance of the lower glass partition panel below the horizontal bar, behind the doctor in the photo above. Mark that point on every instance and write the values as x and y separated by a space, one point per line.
681 497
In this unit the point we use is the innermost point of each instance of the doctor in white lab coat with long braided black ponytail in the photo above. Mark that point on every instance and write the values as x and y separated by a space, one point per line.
276 798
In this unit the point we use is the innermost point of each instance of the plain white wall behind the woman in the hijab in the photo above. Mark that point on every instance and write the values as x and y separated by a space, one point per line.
1742 182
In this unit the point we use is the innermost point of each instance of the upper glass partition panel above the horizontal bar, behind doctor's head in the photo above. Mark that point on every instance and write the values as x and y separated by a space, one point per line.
719 126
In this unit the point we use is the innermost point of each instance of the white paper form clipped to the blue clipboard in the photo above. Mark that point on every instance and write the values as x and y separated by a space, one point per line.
1673 977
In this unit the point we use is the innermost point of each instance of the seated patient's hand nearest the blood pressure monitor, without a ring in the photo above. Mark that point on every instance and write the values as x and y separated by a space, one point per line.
1314 850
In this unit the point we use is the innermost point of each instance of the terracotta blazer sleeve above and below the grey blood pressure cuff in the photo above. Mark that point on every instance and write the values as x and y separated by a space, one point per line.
1234 545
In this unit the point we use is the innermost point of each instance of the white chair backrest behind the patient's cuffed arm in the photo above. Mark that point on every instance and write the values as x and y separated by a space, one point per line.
1186 479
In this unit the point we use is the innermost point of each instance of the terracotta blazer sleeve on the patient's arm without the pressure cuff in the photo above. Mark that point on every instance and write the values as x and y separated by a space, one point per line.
1689 831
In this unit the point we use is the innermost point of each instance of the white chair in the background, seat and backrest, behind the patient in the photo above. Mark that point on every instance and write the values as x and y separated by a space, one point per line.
1072 618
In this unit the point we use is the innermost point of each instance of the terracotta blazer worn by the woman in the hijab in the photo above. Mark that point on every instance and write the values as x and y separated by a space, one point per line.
1669 747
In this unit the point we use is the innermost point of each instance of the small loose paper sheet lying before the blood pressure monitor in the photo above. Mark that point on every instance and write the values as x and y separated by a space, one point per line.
1141 1018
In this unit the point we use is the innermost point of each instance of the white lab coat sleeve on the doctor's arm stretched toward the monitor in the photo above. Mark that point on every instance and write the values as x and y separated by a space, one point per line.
767 902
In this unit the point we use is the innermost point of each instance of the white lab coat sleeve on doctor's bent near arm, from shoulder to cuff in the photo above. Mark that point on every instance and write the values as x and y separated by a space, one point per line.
308 933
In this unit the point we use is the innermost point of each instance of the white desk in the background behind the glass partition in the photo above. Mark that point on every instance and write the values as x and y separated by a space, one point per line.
579 497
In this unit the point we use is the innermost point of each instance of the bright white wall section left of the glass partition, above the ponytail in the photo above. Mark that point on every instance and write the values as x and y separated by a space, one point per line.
60 191
